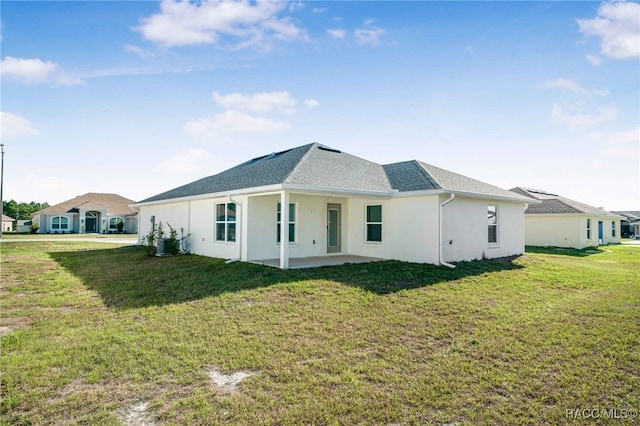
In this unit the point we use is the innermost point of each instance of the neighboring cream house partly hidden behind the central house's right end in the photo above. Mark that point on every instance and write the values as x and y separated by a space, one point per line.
560 222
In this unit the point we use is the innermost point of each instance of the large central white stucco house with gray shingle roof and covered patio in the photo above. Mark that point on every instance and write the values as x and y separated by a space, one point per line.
339 204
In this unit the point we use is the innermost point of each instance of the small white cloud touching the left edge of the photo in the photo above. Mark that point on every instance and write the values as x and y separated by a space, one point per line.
35 71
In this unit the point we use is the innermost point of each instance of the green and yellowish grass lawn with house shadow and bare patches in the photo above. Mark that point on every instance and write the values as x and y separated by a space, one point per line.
101 334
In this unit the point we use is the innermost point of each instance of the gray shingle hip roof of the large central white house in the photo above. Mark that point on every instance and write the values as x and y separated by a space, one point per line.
318 166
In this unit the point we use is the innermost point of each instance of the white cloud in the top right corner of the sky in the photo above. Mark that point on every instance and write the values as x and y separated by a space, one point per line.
618 26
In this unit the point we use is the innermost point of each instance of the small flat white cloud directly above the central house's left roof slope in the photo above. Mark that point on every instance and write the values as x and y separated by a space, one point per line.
258 102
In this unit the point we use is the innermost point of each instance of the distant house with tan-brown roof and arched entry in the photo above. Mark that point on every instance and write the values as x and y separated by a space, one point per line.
88 214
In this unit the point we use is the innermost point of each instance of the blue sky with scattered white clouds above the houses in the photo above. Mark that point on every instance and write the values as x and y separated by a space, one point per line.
136 98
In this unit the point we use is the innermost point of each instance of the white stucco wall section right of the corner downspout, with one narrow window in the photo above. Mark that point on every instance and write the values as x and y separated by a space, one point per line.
465 230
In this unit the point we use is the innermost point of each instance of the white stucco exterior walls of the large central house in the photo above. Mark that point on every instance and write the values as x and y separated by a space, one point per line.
410 227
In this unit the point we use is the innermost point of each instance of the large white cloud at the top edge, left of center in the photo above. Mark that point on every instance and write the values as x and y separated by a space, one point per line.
185 23
